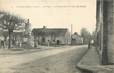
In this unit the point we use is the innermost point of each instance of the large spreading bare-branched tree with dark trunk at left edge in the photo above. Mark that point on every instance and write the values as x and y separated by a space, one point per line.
10 22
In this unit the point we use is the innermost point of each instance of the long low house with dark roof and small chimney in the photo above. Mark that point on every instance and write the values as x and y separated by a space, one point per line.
51 36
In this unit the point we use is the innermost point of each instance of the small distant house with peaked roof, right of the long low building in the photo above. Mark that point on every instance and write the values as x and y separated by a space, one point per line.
76 39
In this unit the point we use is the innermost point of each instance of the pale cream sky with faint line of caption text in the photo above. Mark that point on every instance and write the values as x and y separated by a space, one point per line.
55 17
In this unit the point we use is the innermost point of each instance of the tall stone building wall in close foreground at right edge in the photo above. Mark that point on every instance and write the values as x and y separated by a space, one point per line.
105 30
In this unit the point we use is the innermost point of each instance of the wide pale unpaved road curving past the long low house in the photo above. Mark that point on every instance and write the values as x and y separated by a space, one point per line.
59 60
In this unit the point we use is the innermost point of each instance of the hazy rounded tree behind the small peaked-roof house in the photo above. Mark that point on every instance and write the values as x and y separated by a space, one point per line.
86 35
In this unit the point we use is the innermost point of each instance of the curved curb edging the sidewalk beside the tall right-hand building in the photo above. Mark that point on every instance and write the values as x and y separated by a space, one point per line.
94 68
